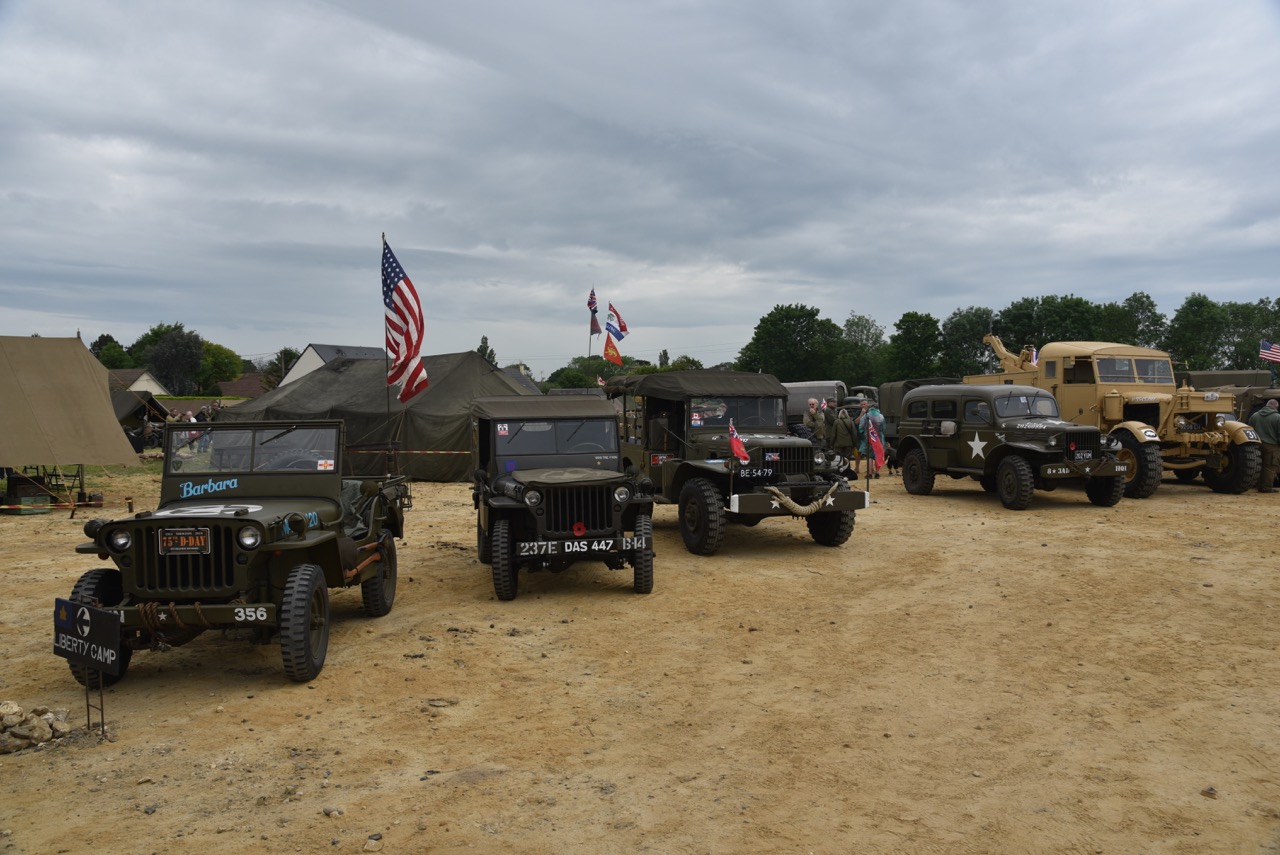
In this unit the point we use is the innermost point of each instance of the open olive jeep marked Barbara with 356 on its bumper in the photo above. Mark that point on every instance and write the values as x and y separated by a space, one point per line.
255 525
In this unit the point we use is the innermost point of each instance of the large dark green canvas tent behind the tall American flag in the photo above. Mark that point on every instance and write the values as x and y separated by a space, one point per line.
432 432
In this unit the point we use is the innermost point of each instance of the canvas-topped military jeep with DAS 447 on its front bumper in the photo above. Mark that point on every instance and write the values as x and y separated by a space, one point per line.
550 490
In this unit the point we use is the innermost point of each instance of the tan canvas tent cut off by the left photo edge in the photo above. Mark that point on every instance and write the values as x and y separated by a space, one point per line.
57 408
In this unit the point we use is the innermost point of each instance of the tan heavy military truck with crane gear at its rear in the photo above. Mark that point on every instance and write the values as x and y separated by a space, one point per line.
1130 392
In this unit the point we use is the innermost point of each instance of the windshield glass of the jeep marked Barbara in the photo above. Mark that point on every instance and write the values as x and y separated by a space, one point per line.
244 450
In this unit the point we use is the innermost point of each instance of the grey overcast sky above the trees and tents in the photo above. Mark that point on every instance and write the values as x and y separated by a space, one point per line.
234 166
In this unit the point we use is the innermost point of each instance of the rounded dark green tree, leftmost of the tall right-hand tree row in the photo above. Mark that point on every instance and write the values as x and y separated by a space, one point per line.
793 344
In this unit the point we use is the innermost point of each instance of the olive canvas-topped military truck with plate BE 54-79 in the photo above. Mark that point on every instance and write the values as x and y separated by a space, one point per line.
679 429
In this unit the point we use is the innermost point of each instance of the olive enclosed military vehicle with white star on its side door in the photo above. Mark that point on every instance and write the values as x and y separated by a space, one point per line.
1009 438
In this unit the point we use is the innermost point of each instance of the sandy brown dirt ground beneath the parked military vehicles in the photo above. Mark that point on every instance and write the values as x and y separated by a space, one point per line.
957 679
